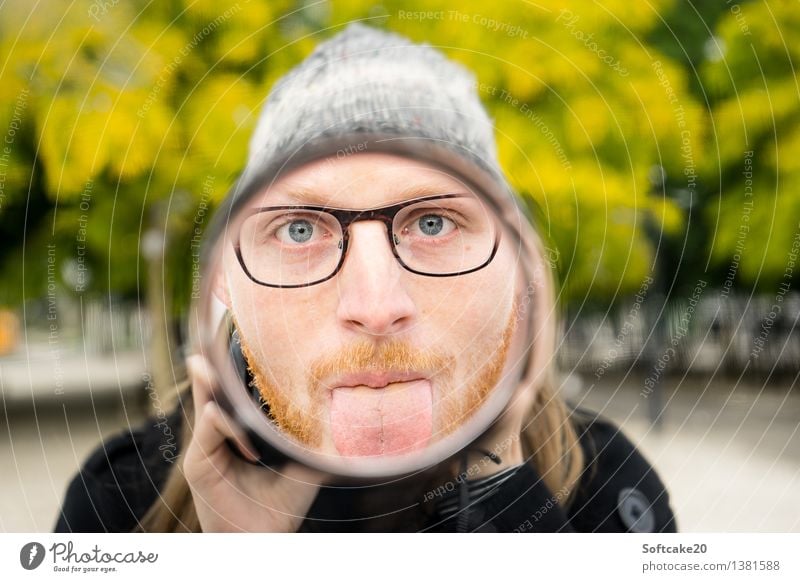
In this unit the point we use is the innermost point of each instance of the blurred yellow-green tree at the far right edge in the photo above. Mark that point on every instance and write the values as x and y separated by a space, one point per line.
754 96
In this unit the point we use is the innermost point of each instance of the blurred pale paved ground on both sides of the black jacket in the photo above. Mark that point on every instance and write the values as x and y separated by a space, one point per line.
730 455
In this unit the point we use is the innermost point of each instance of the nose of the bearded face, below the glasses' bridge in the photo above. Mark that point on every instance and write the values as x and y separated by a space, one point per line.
372 297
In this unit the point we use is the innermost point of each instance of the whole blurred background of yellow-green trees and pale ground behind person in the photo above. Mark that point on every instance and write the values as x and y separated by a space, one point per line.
658 144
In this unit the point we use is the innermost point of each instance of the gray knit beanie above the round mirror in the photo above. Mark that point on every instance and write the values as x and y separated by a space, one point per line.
365 81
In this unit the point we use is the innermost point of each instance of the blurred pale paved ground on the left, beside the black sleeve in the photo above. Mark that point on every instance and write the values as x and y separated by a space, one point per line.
56 406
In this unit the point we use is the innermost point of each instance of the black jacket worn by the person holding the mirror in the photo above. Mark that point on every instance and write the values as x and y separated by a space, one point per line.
619 491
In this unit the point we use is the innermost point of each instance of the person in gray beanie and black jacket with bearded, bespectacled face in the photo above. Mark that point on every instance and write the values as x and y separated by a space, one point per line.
378 309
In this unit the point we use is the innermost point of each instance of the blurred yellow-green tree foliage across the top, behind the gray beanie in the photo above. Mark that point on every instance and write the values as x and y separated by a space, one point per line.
592 119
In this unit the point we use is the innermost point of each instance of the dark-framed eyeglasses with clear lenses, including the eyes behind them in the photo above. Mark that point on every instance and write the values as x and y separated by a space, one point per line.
298 246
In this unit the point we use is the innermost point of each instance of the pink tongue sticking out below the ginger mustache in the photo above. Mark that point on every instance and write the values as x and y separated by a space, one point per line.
393 420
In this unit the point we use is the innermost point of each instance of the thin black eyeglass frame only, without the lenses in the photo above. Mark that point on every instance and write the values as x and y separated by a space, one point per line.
346 217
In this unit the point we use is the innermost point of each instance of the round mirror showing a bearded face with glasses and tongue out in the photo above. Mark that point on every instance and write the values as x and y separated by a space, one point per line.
361 305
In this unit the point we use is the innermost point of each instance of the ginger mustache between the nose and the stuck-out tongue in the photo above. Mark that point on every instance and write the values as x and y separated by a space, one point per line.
366 356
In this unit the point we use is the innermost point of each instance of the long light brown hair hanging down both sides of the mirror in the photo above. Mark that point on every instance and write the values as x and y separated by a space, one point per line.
549 438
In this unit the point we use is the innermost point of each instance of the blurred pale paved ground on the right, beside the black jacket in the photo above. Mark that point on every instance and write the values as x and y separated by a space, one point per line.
730 455
